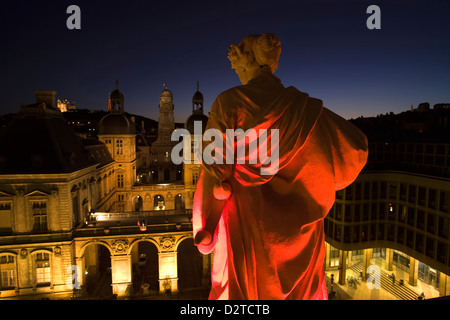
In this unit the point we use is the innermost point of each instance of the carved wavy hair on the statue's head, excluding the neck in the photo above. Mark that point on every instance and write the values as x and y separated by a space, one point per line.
263 49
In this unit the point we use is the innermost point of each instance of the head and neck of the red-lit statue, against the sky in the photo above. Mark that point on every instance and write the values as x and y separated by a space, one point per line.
255 54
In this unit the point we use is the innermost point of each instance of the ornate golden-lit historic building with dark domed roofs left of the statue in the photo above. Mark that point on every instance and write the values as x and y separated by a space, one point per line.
73 213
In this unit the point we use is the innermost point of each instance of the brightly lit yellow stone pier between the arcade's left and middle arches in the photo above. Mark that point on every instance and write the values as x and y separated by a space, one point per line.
121 274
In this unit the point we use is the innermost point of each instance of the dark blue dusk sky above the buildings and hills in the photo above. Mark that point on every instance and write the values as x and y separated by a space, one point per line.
327 51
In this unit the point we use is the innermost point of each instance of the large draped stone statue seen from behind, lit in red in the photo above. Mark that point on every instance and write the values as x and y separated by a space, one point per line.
268 237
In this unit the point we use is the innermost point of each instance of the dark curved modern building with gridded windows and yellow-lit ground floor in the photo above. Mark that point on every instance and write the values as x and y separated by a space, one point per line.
398 208
